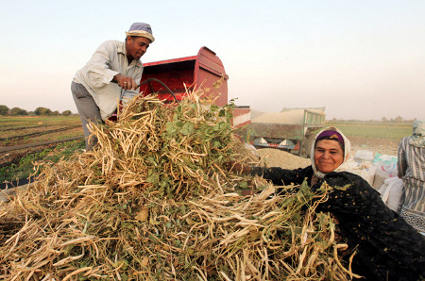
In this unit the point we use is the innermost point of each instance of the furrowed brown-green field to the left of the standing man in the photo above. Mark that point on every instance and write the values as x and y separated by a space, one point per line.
27 139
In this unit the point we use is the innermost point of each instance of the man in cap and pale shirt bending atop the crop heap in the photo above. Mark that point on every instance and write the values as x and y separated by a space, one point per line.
111 74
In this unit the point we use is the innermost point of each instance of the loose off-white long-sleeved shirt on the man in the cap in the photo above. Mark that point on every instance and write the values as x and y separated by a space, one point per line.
96 76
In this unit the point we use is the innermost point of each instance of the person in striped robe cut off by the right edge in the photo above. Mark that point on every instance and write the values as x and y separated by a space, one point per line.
411 168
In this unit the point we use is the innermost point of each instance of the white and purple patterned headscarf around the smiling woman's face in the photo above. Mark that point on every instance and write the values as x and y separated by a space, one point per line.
336 134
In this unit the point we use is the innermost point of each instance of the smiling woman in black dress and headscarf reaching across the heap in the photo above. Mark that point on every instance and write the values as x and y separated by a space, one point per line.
387 247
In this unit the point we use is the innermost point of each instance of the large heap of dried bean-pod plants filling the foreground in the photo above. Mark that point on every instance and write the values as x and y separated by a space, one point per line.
157 200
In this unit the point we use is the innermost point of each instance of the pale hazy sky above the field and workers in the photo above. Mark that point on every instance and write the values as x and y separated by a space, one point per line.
360 59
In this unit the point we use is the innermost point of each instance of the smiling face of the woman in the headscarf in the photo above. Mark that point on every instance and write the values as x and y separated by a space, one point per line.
328 155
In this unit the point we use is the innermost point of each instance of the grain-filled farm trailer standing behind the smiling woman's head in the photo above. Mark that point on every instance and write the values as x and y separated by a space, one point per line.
290 130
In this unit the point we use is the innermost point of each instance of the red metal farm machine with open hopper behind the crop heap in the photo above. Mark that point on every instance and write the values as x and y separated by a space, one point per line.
203 70
